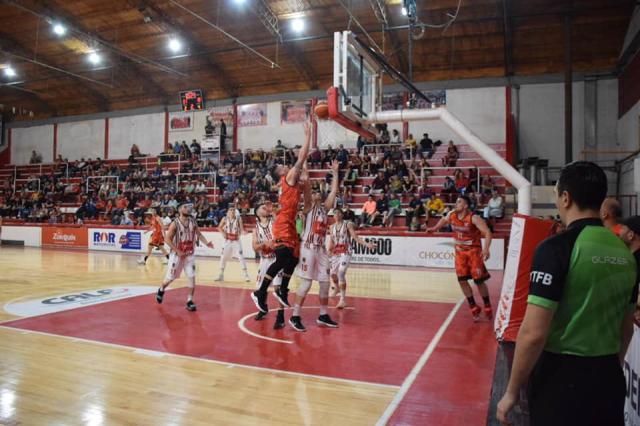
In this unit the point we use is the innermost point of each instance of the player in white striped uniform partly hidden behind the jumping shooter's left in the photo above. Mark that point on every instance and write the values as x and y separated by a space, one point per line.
262 244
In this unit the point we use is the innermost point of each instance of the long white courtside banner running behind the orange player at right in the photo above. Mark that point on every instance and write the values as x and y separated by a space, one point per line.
415 251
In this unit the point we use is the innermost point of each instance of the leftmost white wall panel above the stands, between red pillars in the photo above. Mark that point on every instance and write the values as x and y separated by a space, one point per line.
26 139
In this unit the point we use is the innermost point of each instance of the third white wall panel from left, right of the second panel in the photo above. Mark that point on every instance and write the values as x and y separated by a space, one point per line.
147 131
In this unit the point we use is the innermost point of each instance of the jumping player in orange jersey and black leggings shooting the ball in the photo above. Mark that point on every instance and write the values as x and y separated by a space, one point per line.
286 241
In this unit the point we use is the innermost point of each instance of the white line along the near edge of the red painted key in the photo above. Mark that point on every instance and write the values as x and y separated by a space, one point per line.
146 352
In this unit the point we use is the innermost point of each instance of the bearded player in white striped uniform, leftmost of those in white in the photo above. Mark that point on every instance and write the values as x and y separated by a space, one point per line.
181 238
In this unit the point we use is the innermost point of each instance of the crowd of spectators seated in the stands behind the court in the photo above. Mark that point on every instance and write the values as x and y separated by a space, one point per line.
122 194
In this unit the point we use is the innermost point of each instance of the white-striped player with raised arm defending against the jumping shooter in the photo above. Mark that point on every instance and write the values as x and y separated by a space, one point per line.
314 260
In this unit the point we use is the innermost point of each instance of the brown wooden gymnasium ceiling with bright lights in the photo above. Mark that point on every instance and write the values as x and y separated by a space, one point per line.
137 69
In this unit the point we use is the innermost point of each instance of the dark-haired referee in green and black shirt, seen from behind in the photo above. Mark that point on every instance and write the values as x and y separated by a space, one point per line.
579 319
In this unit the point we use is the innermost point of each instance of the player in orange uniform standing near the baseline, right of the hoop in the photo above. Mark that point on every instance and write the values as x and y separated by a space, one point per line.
470 255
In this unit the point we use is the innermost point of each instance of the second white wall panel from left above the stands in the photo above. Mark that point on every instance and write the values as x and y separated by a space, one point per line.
81 139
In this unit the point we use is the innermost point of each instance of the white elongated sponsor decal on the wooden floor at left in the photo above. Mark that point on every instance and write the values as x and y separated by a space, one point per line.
64 302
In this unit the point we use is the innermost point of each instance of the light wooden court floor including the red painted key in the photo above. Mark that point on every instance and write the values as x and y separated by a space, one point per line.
129 361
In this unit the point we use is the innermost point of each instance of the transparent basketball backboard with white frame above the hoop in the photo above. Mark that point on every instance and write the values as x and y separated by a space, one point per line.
357 77
